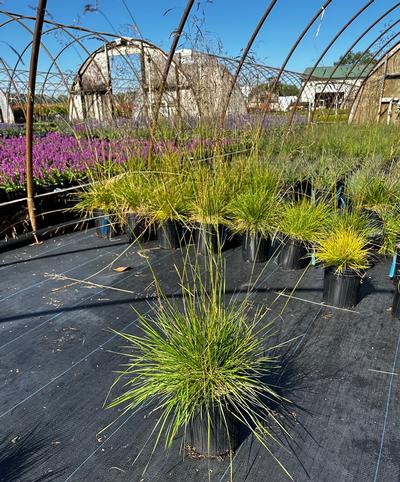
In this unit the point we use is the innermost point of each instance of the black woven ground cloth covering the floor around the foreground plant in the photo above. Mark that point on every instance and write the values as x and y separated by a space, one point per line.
58 353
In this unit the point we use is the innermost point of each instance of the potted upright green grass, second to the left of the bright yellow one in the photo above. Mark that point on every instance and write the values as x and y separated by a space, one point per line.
254 213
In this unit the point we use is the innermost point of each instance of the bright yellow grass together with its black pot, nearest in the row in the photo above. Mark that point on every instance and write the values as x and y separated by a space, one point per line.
344 255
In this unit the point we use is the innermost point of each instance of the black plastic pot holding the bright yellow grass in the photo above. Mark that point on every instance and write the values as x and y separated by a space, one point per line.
341 289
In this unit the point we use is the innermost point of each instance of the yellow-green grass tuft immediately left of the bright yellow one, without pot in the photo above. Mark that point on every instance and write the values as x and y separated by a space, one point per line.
304 220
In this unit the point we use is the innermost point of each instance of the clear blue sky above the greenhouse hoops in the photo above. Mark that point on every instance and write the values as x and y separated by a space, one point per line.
226 26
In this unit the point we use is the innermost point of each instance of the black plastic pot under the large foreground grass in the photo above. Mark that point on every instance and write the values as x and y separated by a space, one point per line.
225 433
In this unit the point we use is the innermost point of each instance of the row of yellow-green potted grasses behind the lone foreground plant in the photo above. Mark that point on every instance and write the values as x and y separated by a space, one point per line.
249 198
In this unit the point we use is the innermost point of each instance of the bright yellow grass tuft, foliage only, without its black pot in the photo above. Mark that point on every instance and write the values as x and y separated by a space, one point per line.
343 248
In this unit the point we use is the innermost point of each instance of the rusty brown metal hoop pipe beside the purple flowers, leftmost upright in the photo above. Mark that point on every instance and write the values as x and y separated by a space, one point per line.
29 110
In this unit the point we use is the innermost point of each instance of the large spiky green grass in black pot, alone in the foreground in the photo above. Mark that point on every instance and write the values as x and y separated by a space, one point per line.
202 365
